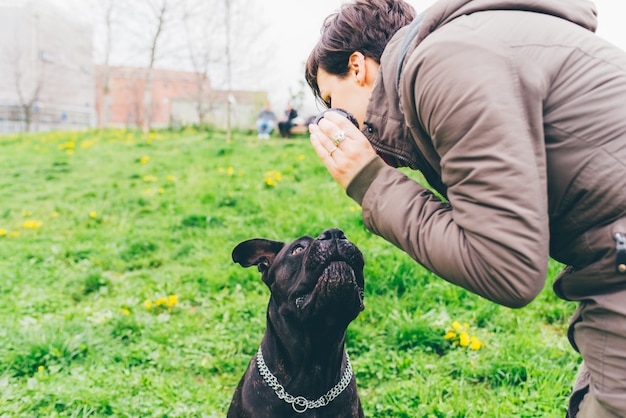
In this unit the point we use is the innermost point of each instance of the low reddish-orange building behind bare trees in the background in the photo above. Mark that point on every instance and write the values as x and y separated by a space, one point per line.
177 98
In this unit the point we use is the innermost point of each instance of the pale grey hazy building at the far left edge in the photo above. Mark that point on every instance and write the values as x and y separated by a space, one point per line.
46 68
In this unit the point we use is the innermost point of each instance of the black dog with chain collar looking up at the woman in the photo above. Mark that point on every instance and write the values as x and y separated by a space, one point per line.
302 368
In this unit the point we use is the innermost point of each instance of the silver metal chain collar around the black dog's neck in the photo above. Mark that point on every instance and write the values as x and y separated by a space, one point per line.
299 403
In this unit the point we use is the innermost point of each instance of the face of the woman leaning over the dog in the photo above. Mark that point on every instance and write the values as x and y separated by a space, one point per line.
345 92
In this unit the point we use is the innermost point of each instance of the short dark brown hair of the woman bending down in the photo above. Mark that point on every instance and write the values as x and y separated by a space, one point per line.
365 26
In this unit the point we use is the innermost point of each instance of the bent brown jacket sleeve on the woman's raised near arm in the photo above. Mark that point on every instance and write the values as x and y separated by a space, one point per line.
493 238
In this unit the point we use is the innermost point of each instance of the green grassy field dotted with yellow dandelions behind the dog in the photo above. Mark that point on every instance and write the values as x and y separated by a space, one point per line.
118 296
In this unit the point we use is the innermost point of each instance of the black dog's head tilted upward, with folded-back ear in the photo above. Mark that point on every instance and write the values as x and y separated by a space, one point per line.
317 280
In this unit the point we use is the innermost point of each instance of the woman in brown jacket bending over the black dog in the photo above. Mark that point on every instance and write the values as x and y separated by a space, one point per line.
514 110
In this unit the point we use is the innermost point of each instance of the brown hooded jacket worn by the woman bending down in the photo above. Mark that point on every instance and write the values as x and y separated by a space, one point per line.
516 111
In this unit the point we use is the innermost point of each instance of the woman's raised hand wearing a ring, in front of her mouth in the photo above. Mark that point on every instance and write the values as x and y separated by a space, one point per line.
343 149
